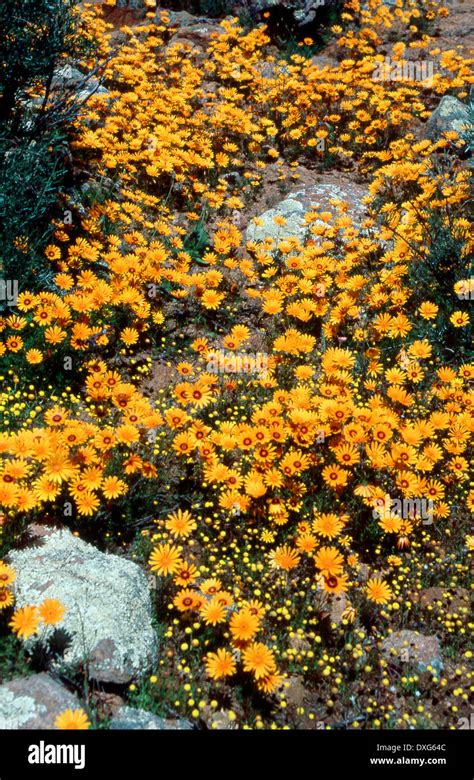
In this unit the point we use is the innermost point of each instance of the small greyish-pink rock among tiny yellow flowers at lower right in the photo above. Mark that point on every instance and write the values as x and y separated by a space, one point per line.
411 647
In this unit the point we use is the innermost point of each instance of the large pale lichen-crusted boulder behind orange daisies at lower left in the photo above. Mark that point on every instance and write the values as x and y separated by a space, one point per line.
107 601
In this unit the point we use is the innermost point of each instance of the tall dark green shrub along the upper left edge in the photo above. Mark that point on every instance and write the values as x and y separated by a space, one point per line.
38 37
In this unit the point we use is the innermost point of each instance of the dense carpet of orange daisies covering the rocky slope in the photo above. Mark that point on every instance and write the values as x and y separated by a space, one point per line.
271 417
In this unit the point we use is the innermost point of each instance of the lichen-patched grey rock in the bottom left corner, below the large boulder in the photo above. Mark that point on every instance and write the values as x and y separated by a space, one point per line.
34 702
